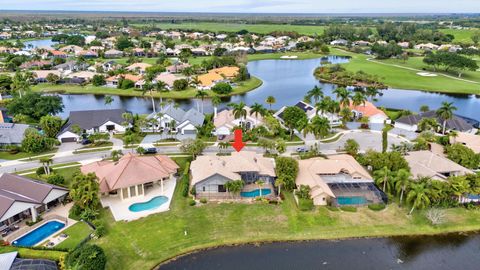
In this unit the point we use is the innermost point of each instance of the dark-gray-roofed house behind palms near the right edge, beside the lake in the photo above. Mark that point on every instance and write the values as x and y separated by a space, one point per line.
410 122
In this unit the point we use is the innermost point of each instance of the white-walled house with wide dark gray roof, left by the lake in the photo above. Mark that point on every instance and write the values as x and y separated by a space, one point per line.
92 121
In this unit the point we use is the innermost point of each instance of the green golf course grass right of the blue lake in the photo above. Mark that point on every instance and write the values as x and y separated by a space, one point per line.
397 77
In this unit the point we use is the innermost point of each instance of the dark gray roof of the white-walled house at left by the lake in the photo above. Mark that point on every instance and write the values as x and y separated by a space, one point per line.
93 118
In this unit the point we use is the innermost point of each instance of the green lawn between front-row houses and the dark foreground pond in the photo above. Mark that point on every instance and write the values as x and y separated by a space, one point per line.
144 243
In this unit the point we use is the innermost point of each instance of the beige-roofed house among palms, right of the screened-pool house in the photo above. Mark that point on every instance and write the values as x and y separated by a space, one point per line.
428 164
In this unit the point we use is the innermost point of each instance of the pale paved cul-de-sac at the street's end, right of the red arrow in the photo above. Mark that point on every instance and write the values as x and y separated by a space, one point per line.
366 139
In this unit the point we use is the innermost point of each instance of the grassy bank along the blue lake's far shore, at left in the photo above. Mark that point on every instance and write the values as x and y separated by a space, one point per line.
242 87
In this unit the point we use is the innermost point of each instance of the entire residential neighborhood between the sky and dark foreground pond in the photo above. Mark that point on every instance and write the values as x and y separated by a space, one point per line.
125 139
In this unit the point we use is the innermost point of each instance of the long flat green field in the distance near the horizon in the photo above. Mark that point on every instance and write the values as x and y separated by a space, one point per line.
235 27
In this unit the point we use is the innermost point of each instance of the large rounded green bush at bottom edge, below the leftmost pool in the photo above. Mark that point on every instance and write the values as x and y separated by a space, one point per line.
86 257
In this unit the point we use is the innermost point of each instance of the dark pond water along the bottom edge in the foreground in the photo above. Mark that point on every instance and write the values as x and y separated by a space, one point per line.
426 252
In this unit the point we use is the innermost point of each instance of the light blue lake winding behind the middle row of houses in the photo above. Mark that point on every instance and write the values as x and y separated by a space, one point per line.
288 81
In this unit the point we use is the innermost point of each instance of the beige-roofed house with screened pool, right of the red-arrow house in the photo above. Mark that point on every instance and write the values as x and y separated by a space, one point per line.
338 180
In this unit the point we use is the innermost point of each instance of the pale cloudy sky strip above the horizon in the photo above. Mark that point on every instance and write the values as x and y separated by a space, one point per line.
251 6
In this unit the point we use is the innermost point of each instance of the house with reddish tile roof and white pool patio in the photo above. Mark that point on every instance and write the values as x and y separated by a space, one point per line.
132 180
